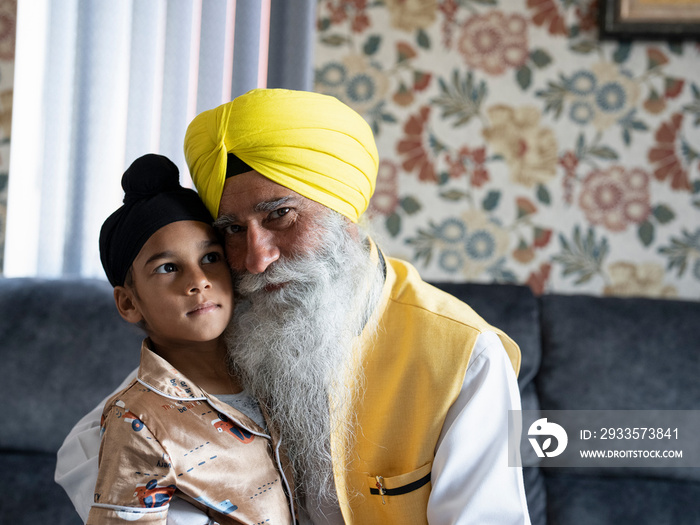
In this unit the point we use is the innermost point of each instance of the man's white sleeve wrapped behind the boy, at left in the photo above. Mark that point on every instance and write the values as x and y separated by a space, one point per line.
77 462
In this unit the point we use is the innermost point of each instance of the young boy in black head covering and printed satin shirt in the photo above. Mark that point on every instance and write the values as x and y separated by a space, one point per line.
169 432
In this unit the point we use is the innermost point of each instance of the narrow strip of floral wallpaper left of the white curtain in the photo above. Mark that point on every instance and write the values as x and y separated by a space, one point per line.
8 17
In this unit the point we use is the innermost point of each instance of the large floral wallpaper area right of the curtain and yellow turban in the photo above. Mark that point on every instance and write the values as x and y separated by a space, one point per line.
517 147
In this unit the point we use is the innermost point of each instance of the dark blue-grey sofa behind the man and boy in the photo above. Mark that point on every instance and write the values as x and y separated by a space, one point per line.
64 348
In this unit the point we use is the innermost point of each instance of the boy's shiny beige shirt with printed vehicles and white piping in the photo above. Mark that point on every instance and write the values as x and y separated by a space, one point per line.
162 435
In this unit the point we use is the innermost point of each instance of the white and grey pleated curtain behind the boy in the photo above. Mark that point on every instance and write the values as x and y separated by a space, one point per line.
99 83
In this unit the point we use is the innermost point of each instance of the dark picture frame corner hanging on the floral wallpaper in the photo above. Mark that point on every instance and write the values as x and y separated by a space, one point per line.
649 19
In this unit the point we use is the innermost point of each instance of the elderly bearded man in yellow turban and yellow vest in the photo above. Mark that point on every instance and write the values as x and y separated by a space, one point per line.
390 397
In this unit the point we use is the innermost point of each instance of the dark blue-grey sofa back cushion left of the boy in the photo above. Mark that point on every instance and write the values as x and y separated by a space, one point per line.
64 348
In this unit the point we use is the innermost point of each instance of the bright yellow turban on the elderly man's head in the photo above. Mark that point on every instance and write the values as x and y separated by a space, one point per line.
312 144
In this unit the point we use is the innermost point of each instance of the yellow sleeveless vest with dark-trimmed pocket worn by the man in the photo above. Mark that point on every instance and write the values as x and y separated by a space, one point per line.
414 368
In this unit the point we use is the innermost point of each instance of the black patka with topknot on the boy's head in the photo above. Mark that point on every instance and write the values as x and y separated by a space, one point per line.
153 198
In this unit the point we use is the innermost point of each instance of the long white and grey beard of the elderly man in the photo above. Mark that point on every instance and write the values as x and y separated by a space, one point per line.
291 347
